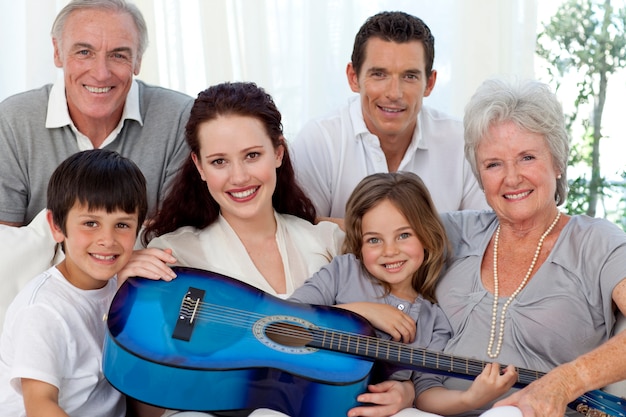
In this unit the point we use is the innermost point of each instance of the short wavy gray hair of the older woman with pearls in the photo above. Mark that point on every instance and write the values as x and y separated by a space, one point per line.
532 106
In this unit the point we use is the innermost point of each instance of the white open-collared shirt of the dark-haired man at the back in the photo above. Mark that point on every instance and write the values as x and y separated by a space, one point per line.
332 154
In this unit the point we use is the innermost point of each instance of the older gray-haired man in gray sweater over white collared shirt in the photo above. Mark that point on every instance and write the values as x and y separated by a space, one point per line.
98 104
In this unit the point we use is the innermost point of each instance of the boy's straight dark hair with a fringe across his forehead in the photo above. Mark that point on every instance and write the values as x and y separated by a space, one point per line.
99 179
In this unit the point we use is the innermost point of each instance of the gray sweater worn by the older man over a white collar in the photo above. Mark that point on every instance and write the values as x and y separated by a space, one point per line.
29 152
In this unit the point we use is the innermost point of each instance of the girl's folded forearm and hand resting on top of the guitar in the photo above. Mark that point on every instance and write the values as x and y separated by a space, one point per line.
400 326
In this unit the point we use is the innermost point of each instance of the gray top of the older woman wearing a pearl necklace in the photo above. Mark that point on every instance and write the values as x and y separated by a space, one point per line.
564 311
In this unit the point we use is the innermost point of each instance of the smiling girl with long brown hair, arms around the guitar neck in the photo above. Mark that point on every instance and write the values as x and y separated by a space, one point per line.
393 254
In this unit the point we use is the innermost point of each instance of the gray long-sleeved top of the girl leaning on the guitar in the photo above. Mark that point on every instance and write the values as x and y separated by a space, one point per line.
344 280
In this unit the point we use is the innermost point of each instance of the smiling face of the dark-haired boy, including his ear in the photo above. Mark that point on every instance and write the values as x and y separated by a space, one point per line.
97 244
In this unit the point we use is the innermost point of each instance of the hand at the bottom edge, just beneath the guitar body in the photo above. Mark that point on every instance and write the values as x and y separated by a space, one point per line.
385 399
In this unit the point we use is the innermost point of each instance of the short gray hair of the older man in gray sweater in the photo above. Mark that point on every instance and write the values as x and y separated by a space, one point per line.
119 6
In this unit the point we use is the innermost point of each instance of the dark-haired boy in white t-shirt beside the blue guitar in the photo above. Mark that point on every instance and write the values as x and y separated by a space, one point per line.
51 343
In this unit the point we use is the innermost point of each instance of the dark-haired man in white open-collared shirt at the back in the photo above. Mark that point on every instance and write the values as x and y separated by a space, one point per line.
386 129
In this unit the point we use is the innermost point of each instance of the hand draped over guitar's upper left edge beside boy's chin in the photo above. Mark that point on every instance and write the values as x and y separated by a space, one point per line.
148 263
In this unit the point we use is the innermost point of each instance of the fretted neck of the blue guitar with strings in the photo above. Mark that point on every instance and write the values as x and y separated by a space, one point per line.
407 357
